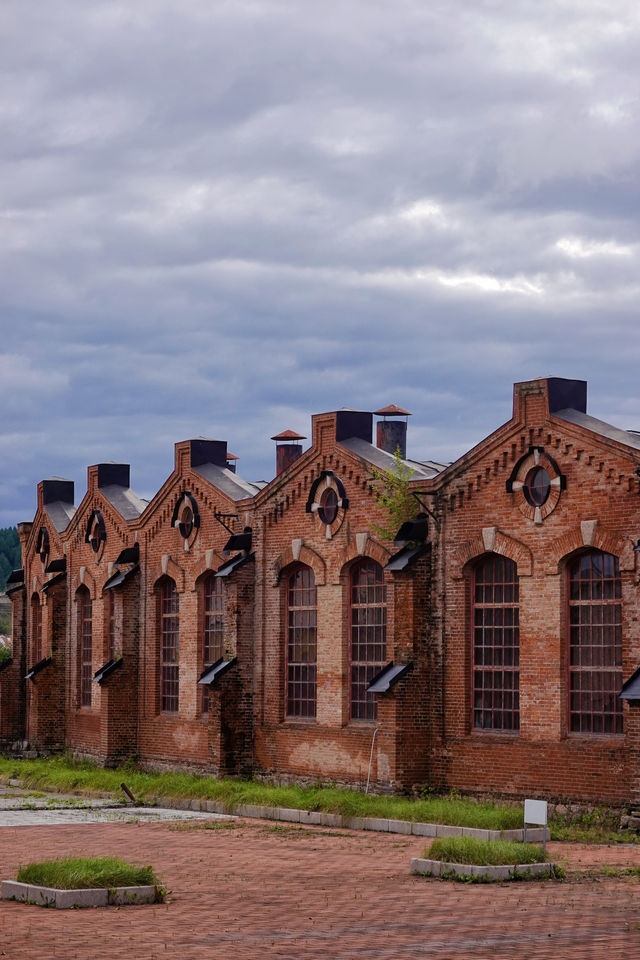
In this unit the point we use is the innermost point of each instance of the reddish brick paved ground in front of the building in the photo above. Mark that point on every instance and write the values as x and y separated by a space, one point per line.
265 891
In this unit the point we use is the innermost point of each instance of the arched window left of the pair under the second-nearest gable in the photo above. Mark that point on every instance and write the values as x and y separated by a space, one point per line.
301 643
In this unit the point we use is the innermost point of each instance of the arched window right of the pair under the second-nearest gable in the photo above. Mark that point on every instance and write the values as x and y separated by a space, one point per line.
368 635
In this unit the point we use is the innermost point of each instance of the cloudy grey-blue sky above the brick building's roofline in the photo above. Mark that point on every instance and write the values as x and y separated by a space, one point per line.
217 218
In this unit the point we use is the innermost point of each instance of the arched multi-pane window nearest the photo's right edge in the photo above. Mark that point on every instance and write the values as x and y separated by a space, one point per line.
595 644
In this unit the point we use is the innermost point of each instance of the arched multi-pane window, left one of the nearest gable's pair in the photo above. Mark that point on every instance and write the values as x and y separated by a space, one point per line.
496 645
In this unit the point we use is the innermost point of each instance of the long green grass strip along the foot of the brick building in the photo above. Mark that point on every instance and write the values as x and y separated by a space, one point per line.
83 777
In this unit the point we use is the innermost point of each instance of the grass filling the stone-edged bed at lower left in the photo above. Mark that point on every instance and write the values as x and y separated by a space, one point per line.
83 873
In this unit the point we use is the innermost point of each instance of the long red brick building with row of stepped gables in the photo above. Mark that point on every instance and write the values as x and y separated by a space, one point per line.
275 629
